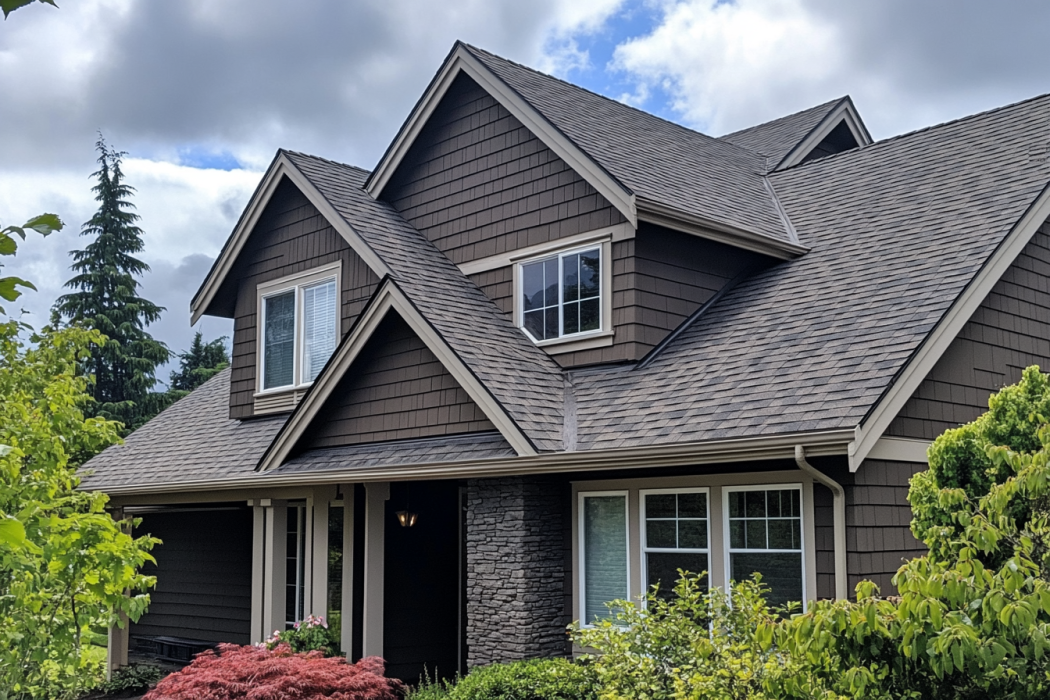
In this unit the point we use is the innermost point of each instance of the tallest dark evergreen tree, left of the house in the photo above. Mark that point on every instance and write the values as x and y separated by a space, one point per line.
107 300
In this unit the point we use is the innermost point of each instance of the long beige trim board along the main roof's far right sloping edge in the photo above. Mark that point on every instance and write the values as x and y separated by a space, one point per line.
906 385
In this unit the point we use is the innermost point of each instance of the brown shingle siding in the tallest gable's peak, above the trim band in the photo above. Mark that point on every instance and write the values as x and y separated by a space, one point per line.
478 183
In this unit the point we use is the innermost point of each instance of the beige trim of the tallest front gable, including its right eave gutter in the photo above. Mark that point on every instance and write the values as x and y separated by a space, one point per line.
635 209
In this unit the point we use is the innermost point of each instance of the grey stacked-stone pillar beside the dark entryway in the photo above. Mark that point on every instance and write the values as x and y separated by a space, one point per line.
517 569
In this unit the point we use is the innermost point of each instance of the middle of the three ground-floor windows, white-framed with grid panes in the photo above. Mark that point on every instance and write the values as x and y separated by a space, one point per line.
676 536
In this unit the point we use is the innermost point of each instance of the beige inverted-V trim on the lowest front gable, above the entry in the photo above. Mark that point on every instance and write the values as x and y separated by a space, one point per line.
389 298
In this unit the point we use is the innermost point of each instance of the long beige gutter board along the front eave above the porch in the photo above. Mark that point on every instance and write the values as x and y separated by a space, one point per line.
718 452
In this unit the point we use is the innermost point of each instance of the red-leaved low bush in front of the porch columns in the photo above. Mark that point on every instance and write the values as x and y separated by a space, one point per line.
259 673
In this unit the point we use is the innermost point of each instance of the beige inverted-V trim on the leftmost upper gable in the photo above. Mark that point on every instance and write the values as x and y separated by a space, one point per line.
282 167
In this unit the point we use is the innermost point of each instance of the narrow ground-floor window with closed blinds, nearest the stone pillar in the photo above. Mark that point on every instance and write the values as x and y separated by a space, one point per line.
604 553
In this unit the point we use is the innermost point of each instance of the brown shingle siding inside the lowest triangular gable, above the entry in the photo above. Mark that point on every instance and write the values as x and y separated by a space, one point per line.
395 390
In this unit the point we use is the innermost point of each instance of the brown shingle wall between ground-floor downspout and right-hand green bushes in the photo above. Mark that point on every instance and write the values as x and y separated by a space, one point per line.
878 523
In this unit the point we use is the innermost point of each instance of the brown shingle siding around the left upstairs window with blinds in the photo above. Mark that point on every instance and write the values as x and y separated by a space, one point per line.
290 238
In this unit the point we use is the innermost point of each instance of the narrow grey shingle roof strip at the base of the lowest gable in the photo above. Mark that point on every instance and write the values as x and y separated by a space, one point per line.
434 451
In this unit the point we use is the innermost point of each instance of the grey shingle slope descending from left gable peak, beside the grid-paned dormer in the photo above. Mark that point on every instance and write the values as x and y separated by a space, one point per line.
519 375
